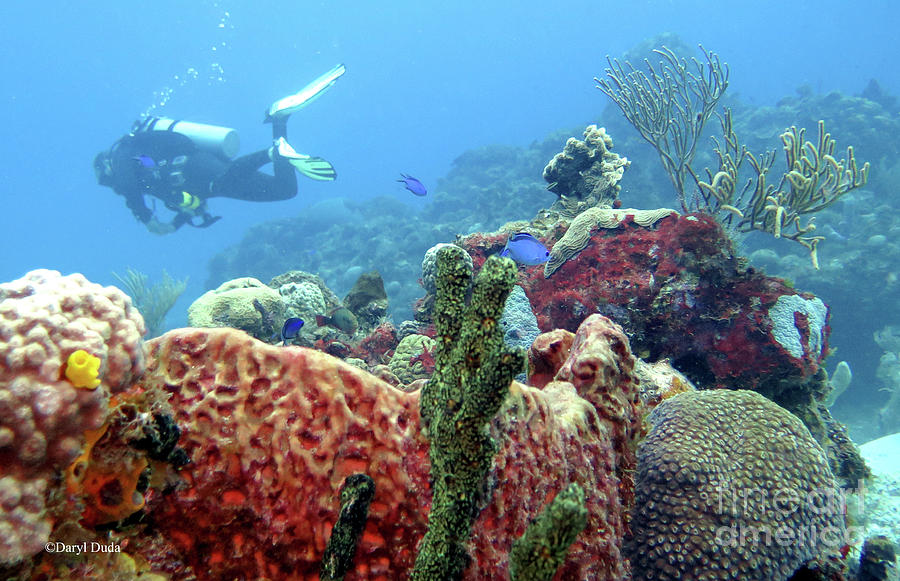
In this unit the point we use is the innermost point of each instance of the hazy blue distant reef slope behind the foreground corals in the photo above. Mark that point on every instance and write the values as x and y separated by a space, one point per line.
489 186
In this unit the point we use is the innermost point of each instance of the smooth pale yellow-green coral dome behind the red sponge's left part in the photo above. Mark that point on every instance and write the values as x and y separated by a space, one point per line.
237 304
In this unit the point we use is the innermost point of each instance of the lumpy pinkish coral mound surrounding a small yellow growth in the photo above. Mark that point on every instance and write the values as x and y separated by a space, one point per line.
44 318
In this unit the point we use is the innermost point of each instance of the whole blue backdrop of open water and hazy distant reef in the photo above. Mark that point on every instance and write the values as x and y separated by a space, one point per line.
471 98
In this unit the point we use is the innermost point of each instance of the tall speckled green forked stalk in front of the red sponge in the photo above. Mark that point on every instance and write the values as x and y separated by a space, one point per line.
473 370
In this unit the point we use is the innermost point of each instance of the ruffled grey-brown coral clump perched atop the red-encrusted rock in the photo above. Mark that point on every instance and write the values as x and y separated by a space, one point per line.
586 173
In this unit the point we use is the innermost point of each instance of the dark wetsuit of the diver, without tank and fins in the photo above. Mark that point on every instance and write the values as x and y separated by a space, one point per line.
171 168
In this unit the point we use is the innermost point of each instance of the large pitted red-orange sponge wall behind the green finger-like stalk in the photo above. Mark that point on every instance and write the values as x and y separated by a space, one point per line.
272 433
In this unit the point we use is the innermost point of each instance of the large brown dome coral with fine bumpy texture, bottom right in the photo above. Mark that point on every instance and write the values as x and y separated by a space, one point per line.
731 486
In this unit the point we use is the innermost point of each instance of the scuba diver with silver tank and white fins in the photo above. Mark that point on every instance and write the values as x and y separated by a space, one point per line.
182 164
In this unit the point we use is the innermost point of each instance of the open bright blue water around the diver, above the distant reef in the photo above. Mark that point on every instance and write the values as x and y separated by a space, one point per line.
424 83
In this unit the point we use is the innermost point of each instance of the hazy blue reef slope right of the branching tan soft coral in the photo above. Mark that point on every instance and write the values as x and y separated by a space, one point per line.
857 274
